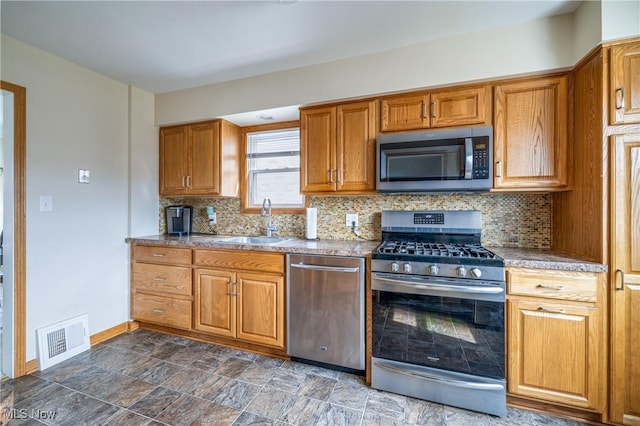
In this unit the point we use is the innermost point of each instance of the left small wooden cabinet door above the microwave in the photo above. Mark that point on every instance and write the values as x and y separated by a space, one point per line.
407 112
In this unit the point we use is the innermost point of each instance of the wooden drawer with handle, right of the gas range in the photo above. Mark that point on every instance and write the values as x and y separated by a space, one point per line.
565 285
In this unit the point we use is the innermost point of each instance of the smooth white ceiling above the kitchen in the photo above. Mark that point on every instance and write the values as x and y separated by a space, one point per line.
162 46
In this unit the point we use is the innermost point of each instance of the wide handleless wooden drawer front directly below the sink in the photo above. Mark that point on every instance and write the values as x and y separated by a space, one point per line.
244 260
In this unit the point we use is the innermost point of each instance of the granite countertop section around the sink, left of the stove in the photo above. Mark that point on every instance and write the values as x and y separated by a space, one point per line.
294 245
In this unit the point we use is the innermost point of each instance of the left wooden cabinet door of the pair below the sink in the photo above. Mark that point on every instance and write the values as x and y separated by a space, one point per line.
215 303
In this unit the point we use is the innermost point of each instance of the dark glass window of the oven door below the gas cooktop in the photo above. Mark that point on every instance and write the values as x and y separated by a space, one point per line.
453 334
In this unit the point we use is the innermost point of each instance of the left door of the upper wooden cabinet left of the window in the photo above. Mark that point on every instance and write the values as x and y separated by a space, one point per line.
173 160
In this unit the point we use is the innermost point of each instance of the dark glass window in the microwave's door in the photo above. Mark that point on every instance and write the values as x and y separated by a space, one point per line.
442 162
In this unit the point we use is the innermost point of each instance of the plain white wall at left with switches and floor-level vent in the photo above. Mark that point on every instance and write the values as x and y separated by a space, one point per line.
76 254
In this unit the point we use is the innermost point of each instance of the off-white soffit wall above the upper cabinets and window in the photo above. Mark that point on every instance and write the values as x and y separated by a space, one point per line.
535 46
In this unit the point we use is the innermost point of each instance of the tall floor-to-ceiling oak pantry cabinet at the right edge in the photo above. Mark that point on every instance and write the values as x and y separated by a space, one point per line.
600 219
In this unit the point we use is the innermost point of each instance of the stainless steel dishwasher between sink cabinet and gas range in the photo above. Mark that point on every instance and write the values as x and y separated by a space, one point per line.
326 315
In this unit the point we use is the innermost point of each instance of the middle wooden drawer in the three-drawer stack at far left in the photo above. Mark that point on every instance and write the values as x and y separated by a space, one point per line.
162 278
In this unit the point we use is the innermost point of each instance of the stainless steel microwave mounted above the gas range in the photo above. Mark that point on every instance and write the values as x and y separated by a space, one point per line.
444 160
